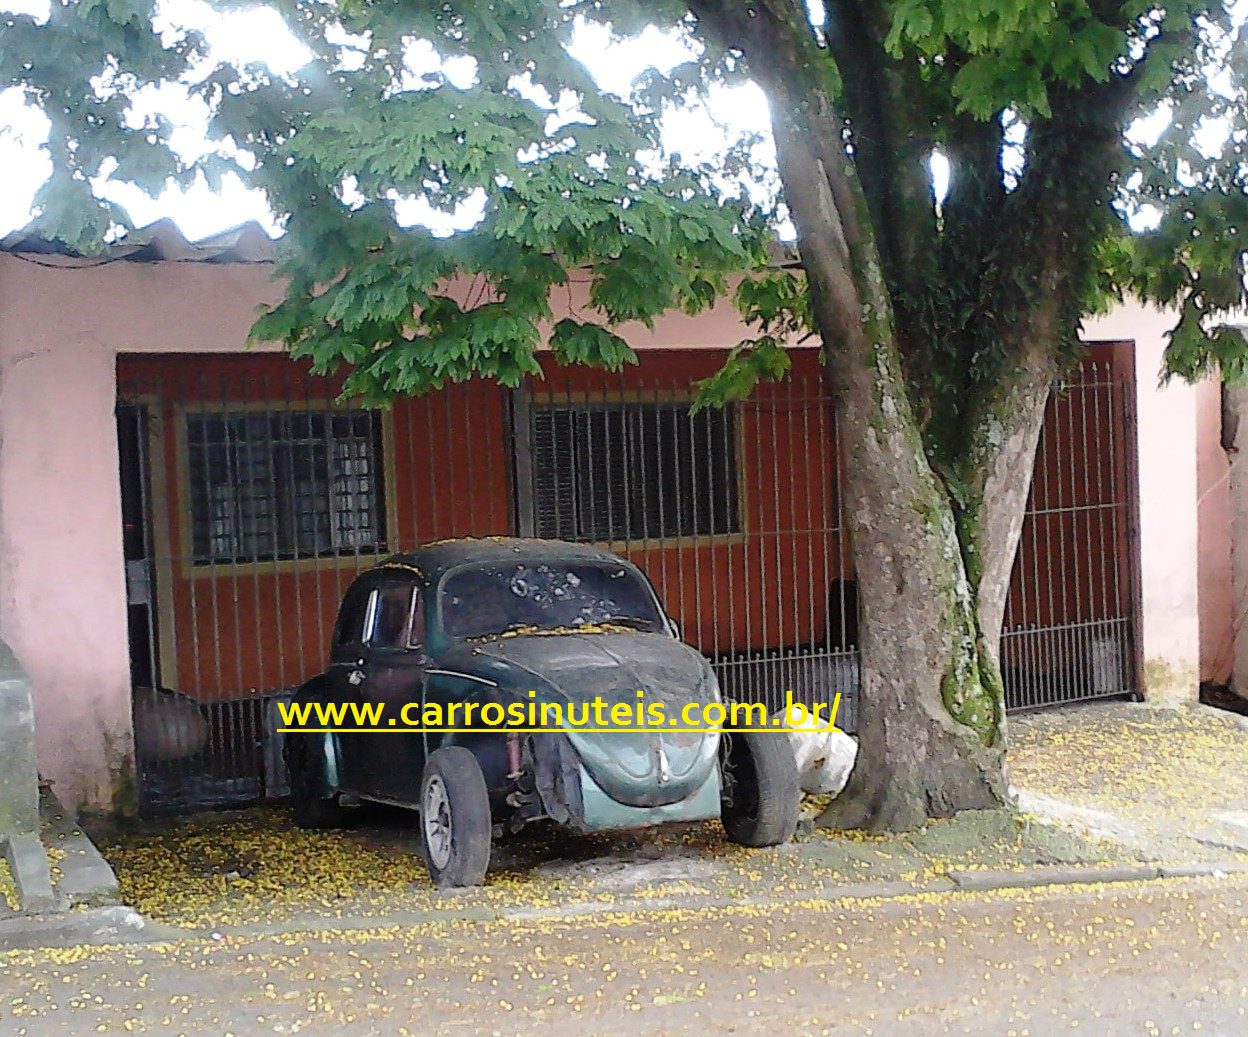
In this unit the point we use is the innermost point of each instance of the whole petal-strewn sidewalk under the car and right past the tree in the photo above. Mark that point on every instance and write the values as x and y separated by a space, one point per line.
1110 793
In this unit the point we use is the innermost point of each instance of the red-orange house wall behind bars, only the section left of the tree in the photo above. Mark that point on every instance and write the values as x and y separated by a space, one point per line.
258 628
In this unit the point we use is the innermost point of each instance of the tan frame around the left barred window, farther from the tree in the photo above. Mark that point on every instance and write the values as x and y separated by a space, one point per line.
195 567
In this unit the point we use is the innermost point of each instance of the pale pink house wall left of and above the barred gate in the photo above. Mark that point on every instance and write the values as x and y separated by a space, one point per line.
63 602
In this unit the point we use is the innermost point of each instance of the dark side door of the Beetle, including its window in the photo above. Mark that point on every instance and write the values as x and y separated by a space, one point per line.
395 678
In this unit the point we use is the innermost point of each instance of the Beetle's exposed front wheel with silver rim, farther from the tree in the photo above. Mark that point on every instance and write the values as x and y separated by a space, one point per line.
456 824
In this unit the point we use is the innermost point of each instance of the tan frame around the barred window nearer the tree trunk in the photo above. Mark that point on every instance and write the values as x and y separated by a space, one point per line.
524 401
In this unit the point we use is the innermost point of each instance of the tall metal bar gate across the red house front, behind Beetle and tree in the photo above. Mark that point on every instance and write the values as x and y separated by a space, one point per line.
253 500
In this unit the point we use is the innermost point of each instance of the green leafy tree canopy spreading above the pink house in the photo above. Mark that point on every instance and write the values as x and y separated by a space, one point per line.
338 142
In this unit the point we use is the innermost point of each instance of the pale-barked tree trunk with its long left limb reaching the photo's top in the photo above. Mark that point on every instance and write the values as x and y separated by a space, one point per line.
933 562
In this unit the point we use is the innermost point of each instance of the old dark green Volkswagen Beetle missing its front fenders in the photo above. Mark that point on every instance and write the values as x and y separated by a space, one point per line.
515 621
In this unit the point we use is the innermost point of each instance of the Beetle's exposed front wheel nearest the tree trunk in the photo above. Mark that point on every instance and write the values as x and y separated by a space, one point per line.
762 797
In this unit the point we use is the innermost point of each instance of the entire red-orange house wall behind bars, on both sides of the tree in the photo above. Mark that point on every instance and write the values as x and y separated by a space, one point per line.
239 631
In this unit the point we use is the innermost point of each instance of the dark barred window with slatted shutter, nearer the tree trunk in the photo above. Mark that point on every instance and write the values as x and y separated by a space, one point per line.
633 471
